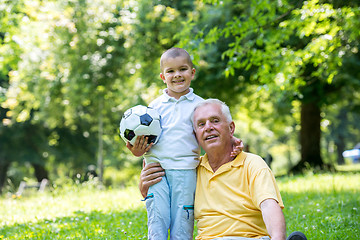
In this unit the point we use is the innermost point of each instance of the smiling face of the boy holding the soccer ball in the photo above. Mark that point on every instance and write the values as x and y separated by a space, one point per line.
177 75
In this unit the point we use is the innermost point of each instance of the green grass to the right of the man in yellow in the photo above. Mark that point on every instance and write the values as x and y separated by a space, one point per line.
325 206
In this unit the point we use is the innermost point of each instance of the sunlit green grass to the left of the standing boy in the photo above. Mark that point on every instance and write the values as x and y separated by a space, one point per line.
74 213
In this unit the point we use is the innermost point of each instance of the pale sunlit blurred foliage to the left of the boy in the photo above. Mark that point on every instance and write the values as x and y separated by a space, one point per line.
82 64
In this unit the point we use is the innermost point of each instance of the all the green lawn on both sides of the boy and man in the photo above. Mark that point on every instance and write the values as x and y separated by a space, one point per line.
323 206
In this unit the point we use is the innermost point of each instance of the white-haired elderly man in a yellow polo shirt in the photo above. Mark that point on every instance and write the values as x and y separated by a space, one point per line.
236 198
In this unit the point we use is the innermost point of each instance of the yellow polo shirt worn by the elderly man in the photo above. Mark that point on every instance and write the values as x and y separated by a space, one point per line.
227 202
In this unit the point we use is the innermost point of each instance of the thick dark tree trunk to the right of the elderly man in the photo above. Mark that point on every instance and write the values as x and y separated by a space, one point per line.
310 134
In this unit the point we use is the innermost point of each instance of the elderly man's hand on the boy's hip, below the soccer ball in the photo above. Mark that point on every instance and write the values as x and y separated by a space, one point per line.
150 174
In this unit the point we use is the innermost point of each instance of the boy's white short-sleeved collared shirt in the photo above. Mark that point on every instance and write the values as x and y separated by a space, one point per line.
174 150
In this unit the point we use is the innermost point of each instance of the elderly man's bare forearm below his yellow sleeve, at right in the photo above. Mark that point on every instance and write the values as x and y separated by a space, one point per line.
274 219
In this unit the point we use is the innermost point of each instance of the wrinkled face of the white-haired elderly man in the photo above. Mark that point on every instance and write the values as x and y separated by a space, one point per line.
212 128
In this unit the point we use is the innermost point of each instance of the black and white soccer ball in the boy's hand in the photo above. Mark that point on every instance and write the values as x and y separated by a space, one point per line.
140 120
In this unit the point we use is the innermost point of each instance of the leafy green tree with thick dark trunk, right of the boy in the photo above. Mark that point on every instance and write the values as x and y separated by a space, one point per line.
294 50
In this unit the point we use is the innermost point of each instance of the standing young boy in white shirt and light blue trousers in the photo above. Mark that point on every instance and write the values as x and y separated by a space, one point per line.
170 203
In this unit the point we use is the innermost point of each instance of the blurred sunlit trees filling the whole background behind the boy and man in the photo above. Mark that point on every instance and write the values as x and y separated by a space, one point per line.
69 69
